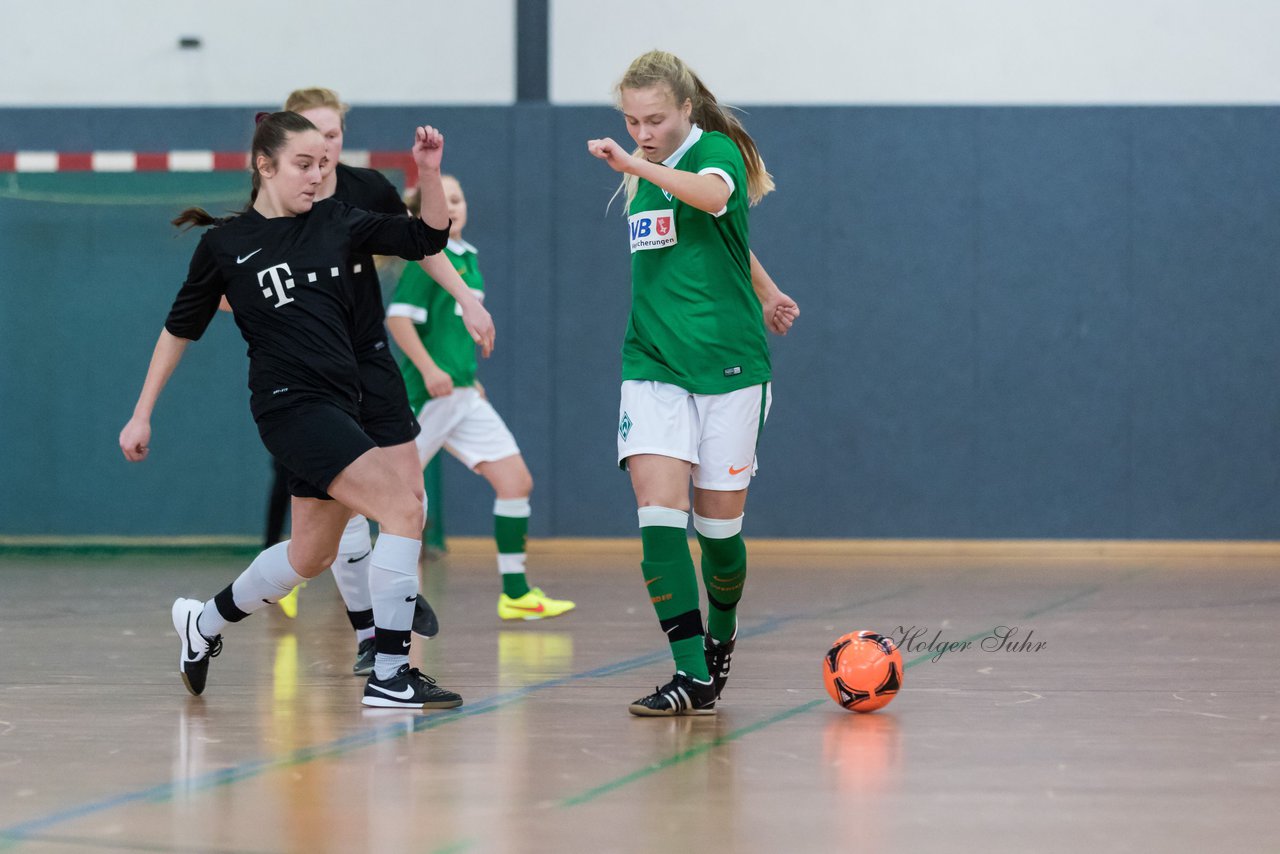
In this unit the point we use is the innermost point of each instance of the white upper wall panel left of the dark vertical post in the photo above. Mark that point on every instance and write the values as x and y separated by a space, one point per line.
125 53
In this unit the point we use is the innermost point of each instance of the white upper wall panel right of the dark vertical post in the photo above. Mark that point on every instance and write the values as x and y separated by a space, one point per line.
932 52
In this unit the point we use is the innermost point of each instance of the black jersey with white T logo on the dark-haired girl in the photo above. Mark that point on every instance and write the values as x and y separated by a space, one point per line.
290 282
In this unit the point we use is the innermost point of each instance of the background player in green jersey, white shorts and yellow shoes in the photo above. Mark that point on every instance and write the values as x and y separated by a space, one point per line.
440 371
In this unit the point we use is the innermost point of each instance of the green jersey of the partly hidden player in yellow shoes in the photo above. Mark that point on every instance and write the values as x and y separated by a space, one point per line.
438 319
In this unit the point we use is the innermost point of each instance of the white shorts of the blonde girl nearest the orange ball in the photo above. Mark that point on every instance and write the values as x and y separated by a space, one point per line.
717 433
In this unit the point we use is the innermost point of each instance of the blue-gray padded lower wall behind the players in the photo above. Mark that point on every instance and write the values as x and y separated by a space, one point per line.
1018 322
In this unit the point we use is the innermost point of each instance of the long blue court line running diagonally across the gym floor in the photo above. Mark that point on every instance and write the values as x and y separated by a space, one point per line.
162 793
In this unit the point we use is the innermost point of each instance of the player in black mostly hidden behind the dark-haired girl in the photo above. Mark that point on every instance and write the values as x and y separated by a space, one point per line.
383 404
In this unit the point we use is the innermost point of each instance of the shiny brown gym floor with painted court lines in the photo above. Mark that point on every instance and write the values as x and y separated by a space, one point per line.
1149 720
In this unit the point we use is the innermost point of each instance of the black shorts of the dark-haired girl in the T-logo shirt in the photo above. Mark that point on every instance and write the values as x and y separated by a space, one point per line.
314 440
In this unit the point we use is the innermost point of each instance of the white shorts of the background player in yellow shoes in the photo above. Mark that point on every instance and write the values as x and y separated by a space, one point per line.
467 426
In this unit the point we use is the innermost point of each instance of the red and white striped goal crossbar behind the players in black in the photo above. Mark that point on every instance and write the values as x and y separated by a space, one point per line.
47 162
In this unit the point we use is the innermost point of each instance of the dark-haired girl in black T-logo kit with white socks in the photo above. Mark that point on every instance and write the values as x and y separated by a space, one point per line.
284 267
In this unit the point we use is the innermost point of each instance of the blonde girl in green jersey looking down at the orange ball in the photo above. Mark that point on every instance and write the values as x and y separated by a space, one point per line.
696 362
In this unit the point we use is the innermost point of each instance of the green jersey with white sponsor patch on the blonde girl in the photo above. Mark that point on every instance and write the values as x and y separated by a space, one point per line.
696 322
